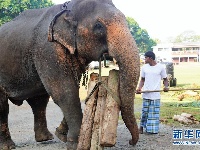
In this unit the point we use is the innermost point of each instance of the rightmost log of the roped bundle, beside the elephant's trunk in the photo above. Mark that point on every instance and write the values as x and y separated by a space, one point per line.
111 114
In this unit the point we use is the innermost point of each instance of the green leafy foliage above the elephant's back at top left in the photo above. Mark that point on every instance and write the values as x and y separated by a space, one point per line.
9 9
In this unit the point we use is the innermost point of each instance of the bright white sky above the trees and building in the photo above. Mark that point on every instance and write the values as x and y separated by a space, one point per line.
161 18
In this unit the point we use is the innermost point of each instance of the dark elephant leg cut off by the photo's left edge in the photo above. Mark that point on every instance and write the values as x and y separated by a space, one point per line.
5 138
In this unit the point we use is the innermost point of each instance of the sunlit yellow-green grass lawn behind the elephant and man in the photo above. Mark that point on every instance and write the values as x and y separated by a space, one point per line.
188 76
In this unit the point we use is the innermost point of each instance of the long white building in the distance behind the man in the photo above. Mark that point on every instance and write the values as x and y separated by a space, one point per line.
177 52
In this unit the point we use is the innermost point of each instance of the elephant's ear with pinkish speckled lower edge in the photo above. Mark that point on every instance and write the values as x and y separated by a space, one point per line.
63 30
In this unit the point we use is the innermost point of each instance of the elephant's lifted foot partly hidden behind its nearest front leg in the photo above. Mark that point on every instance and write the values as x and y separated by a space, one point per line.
62 130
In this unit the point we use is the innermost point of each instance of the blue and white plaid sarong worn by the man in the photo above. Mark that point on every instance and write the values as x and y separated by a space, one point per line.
150 115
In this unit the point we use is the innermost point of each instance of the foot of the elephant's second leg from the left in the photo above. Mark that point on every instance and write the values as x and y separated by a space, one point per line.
43 136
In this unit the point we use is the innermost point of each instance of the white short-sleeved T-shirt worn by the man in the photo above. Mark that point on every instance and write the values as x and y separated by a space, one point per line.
153 76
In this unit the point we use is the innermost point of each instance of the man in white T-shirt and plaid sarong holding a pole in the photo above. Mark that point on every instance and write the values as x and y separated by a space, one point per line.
151 75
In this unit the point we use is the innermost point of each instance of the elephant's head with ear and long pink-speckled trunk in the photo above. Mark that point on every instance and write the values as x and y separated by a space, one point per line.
90 28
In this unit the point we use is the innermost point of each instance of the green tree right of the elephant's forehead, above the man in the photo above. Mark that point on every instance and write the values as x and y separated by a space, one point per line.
141 36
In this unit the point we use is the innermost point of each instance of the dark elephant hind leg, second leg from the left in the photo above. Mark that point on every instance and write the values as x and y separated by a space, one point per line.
38 105
